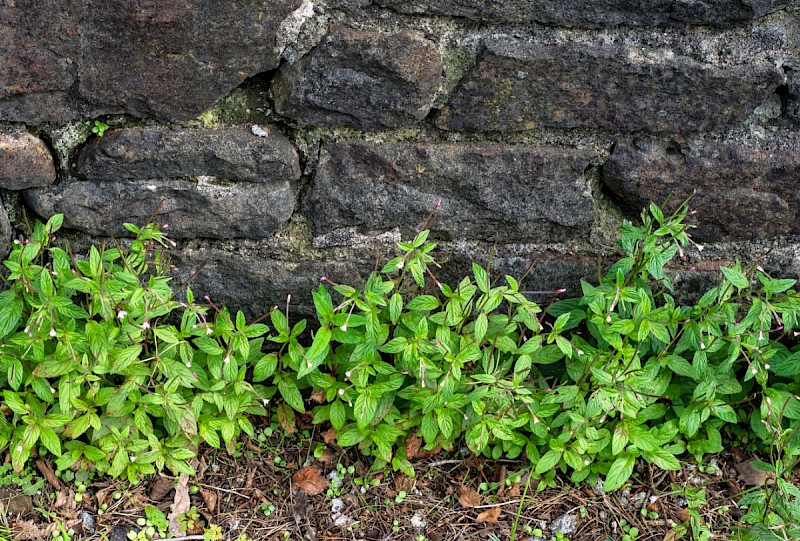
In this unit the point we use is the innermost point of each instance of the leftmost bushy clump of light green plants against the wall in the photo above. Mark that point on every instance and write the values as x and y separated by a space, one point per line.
94 375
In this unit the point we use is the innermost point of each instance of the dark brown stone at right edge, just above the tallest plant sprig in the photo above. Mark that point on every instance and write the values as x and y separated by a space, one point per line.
742 192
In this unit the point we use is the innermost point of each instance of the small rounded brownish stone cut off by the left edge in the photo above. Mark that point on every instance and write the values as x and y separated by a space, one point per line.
25 161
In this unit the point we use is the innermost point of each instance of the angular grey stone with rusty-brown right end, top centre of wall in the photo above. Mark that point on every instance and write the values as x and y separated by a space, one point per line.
368 80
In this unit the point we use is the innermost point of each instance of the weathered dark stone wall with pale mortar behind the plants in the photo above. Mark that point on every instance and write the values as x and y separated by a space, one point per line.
284 140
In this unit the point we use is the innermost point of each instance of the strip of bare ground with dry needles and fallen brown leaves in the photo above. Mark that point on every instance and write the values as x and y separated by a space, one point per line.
299 488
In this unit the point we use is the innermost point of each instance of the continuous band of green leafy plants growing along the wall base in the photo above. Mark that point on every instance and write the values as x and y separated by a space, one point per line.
106 369
